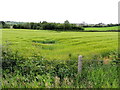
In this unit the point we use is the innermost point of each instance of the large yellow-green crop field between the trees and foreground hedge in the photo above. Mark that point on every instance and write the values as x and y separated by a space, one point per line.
59 45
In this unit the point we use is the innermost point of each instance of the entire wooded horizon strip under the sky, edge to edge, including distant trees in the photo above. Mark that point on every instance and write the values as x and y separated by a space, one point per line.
66 26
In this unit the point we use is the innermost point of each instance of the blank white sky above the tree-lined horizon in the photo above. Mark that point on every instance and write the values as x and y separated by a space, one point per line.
76 11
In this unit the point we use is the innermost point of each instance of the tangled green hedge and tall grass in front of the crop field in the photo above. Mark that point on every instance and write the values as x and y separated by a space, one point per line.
36 72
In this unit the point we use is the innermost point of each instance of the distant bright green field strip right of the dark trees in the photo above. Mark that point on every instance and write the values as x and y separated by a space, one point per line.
114 28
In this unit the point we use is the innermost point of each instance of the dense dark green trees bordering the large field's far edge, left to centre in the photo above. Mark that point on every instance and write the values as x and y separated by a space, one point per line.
66 26
